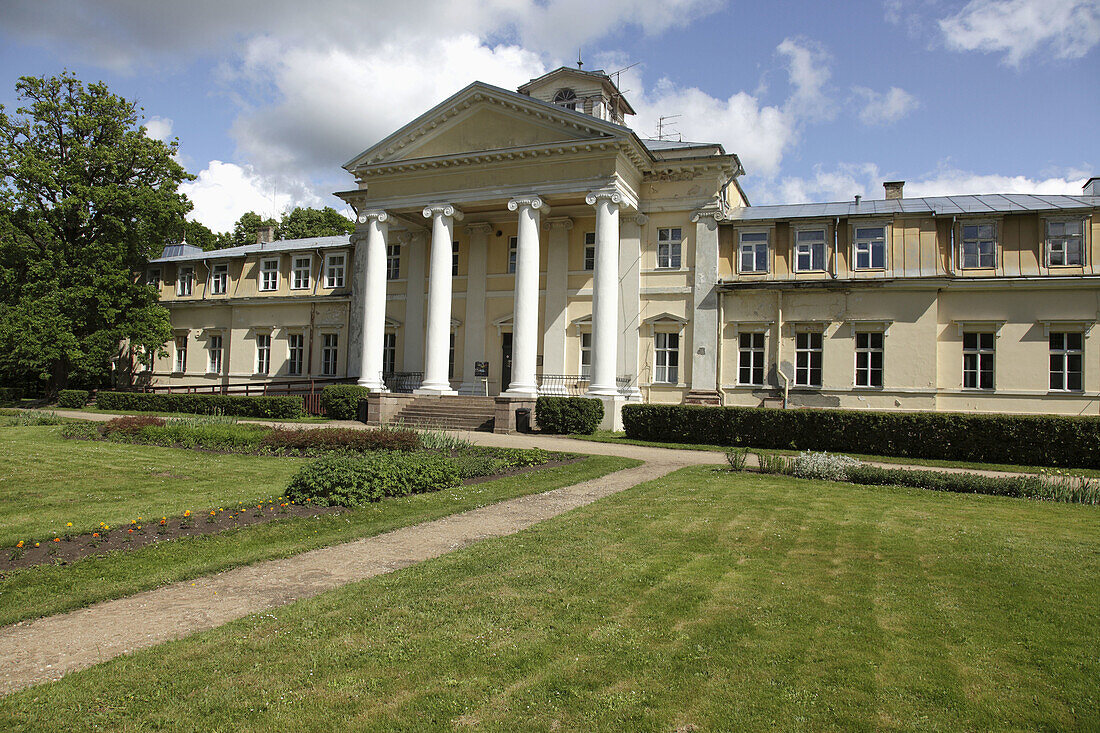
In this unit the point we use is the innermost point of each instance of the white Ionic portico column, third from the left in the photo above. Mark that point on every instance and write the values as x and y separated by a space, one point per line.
525 320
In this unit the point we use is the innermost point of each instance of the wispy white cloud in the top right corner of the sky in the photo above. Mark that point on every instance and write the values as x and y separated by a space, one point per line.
1063 29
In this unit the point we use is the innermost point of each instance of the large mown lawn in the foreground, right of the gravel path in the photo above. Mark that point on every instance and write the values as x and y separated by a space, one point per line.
705 601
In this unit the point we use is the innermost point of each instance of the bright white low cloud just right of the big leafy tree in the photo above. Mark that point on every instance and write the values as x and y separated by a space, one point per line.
225 191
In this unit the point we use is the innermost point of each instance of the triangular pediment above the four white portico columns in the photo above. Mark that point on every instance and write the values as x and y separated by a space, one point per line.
482 118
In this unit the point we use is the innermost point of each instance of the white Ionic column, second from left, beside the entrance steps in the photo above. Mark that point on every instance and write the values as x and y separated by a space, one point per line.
438 340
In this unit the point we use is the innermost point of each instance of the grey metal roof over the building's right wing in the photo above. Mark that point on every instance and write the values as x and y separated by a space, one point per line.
934 205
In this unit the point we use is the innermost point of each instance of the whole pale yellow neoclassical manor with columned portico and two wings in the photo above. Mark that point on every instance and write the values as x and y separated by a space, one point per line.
529 243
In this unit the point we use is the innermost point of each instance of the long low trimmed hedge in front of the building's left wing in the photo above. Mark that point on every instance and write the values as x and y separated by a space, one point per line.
282 408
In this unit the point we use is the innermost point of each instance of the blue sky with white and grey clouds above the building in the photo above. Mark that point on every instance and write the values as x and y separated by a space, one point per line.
821 101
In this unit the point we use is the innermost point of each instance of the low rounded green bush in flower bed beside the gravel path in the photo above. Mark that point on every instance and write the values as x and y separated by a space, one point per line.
347 482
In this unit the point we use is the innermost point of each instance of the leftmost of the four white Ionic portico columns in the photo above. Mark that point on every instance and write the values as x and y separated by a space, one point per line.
373 280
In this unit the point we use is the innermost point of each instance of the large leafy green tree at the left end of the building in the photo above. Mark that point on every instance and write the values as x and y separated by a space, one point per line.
86 199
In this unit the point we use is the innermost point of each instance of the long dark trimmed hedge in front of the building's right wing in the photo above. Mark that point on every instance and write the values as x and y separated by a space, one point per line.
1068 442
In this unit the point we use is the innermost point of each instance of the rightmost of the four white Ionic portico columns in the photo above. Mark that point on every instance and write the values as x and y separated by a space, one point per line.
606 294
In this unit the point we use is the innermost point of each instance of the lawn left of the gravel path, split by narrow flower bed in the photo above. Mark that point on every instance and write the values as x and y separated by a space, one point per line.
127 486
